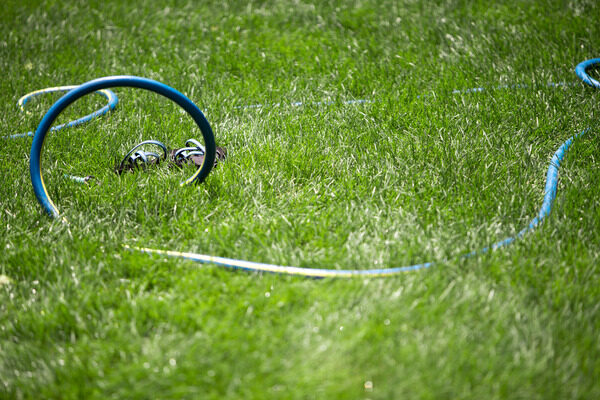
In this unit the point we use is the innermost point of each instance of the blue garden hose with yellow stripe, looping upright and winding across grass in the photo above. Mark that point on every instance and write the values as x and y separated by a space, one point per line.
103 84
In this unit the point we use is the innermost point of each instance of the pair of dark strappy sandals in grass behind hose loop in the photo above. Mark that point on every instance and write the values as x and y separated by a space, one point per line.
192 153
